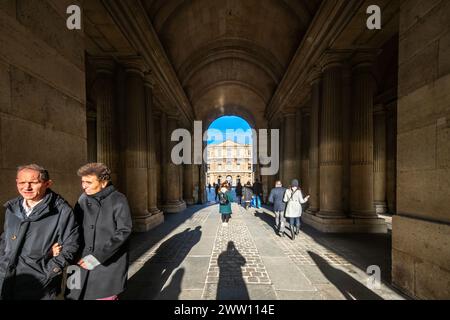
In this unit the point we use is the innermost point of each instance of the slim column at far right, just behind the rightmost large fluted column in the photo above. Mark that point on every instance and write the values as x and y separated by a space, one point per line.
380 165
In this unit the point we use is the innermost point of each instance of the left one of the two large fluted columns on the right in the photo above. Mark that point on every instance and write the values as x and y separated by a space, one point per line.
331 139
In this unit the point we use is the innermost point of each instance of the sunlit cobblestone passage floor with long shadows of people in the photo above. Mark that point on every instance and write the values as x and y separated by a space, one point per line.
193 256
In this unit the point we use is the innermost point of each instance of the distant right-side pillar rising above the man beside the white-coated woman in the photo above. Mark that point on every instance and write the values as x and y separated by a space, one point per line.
289 161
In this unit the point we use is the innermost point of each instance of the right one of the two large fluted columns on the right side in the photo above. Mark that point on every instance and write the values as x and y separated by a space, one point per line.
361 179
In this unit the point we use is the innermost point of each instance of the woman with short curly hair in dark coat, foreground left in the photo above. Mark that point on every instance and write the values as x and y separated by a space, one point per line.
106 226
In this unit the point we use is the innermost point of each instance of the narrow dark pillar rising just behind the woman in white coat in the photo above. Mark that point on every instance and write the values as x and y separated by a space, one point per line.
305 128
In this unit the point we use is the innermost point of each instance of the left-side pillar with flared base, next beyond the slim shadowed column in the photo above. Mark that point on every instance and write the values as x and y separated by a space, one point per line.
171 183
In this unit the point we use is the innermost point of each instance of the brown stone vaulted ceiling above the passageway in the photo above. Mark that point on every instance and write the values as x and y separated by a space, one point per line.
230 55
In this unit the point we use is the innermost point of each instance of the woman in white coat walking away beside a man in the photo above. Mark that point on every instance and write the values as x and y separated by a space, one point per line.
294 200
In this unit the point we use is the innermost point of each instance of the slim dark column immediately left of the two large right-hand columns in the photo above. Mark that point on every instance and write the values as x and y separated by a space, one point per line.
314 169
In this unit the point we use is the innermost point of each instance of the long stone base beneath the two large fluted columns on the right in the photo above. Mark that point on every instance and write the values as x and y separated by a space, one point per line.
345 225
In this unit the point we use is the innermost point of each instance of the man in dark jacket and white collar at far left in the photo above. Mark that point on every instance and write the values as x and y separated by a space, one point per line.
34 223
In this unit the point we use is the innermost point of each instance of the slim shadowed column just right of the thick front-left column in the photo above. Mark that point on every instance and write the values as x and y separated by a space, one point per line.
157 215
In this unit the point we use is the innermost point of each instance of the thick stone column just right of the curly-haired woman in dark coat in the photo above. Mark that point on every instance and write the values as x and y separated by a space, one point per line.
136 161
